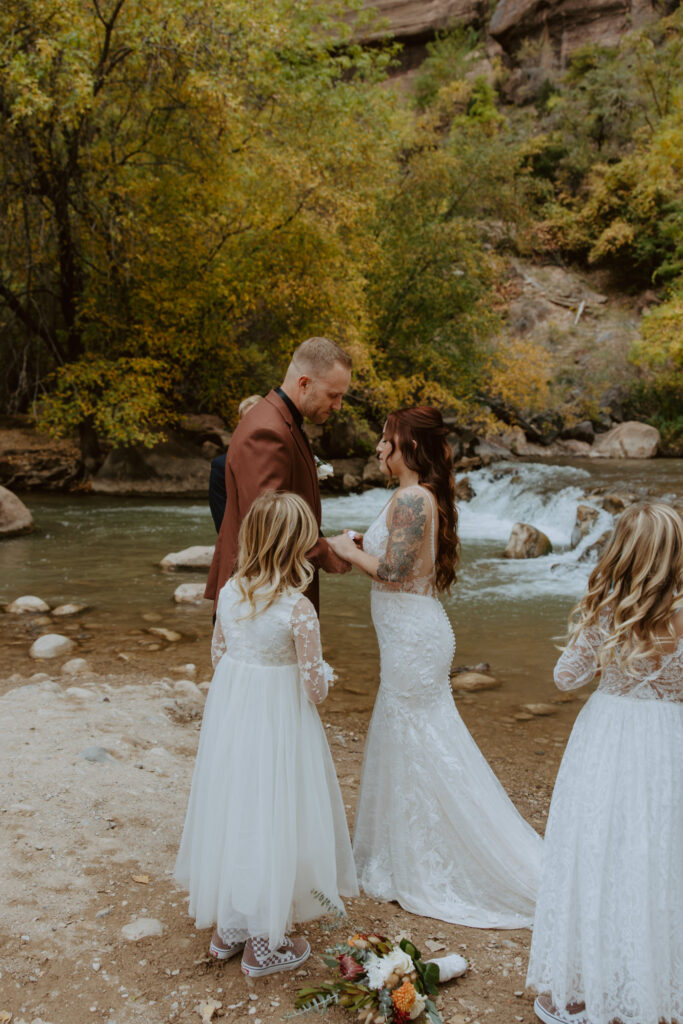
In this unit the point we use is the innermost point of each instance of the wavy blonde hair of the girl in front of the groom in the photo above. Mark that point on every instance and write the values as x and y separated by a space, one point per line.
275 537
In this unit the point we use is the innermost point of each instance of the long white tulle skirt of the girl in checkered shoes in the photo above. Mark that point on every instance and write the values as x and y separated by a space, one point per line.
266 825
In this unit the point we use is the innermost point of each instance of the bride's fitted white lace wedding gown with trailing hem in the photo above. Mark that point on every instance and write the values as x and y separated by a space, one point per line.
435 829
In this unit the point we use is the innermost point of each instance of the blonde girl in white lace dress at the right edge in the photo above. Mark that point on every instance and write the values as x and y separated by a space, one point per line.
608 942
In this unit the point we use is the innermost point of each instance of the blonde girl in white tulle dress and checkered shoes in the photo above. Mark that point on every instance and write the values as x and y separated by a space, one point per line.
266 824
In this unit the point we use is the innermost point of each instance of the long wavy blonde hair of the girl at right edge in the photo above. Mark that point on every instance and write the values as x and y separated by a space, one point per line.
635 588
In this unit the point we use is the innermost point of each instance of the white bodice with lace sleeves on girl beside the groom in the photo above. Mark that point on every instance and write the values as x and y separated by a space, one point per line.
287 633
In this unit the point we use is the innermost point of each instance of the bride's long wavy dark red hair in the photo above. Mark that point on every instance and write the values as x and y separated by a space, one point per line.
421 436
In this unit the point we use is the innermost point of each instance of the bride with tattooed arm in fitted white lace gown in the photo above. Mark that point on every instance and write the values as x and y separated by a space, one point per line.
435 829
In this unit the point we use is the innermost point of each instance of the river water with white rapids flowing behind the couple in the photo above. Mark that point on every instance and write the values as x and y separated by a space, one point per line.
105 553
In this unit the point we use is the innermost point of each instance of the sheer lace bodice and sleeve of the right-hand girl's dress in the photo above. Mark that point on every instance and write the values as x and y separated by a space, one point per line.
657 679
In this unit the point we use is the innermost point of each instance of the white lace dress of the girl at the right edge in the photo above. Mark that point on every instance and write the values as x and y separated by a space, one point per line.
609 927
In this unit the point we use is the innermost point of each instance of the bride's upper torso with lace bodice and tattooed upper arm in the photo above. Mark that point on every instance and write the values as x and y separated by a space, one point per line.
403 539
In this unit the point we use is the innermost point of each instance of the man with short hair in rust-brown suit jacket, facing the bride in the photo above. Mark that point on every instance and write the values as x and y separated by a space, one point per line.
270 450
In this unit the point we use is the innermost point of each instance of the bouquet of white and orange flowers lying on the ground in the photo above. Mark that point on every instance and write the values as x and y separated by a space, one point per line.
385 983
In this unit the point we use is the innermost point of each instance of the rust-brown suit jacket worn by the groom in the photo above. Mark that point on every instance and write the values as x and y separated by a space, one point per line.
268 451
